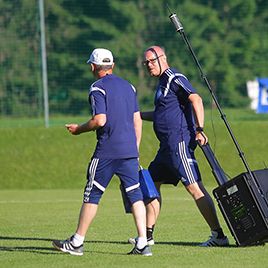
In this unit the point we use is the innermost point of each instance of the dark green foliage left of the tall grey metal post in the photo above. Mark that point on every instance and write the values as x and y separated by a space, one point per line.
19 58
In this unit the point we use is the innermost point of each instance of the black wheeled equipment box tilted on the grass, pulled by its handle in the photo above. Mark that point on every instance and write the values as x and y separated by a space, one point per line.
243 202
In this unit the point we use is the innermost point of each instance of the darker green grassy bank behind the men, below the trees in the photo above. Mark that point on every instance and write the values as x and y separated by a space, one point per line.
34 157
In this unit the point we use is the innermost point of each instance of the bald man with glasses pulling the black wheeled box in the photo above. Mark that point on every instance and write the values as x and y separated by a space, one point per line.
178 121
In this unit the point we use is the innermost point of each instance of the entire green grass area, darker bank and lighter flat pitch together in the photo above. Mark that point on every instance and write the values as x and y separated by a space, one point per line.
41 182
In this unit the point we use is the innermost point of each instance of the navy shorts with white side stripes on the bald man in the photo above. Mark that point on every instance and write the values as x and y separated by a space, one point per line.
169 167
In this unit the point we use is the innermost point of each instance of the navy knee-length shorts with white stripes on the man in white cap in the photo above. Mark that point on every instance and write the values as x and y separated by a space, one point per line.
101 171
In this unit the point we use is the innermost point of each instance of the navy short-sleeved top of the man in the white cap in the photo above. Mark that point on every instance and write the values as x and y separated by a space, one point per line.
115 97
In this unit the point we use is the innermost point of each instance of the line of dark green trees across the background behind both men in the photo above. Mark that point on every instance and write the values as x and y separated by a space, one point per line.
229 38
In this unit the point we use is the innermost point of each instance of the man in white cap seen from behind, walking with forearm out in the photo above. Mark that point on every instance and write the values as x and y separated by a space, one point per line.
117 121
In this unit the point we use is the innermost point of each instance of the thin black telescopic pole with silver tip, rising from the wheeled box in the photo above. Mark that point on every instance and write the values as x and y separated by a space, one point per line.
179 28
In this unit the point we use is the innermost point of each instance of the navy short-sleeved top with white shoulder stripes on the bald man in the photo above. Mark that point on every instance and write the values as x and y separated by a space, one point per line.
173 115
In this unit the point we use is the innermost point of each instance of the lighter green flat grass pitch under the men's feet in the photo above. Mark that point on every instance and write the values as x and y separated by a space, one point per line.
30 219
